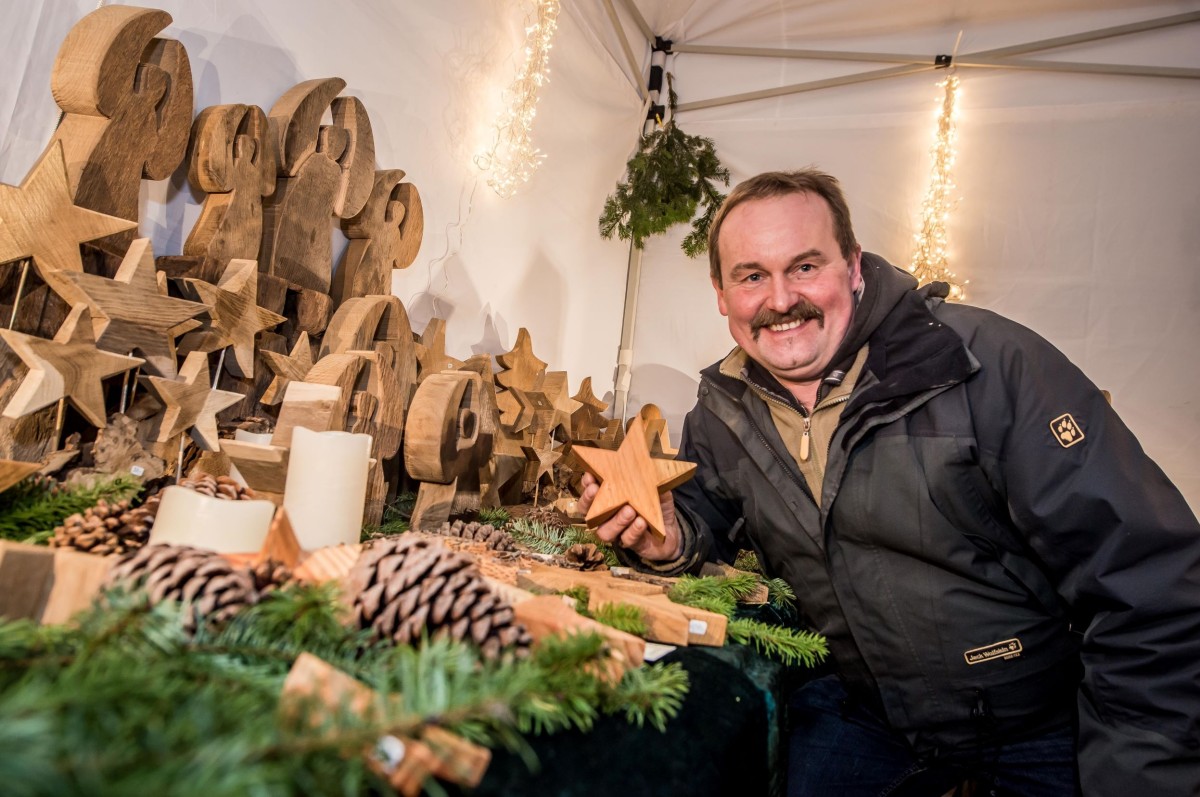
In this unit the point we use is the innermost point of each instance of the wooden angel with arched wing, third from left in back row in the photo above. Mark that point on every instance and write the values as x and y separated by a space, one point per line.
323 171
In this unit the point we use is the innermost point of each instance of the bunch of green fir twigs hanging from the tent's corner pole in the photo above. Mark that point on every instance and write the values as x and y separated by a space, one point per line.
669 178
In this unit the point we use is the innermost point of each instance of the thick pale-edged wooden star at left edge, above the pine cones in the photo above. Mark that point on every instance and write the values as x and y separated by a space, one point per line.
69 367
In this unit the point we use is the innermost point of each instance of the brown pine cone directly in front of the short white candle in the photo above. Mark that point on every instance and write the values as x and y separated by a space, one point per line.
206 580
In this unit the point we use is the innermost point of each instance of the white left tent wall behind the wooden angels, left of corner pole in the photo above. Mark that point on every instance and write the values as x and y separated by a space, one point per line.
431 76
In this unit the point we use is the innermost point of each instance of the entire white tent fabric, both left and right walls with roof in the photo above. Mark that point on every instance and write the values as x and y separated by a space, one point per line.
1078 193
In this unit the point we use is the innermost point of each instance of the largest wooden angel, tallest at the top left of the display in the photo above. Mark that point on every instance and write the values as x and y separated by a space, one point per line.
127 101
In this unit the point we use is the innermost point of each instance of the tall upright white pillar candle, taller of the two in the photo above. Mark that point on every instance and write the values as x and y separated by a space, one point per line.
327 487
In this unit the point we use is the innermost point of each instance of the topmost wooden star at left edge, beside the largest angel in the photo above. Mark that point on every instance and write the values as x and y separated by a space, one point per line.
39 219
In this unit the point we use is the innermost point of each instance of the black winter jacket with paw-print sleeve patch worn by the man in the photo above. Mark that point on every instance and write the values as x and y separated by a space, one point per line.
992 547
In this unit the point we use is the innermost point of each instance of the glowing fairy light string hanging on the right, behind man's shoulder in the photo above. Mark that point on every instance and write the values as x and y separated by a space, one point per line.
931 261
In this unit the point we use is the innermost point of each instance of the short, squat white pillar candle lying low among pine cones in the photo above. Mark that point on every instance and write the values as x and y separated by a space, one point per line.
190 518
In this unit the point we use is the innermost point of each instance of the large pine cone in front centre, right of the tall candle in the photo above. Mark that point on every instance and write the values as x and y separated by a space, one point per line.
407 586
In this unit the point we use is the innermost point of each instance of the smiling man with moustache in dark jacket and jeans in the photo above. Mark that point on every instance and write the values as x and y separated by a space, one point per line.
1010 586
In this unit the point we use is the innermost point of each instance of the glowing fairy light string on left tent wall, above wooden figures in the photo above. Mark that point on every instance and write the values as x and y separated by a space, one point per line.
513 158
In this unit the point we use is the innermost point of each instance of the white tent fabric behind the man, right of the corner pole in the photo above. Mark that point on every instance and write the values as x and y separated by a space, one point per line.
1079 194
